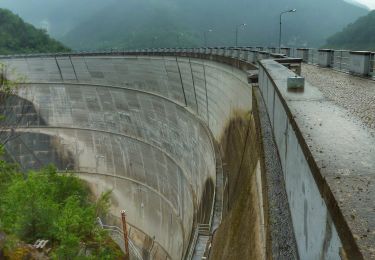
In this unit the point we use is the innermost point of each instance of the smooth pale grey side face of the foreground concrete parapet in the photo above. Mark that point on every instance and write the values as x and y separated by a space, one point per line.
315 233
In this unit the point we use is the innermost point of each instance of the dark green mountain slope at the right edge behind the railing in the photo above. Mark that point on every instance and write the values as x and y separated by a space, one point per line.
359 35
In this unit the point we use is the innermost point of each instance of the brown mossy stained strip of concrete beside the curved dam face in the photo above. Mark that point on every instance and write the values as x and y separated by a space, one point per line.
238 237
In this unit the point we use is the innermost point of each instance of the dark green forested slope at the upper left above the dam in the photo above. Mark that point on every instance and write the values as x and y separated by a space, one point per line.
16 36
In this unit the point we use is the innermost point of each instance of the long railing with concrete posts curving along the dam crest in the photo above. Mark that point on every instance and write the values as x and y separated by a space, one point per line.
341 60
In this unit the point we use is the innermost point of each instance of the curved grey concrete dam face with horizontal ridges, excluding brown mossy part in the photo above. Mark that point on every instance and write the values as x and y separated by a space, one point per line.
143 127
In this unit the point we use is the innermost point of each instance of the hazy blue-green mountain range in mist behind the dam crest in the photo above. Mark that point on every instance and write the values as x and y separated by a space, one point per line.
137 23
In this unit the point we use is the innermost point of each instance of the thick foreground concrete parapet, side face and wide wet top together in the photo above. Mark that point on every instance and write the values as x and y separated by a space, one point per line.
328 160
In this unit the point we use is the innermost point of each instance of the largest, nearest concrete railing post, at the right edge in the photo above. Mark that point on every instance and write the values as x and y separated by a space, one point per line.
360 62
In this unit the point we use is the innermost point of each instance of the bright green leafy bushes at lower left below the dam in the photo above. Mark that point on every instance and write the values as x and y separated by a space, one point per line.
47 205
